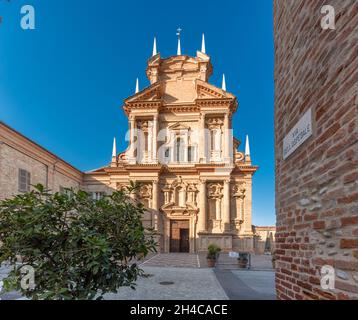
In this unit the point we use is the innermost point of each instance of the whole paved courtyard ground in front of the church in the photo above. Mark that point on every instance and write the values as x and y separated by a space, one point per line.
180 276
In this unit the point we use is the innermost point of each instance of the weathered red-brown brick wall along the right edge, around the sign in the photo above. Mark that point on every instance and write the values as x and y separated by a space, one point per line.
316 187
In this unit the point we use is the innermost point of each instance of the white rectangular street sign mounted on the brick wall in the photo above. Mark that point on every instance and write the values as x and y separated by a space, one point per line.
298 134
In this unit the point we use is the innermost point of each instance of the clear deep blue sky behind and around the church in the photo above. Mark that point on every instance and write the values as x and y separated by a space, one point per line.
63 84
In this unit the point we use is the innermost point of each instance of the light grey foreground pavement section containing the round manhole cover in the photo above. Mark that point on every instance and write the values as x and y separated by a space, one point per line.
170 283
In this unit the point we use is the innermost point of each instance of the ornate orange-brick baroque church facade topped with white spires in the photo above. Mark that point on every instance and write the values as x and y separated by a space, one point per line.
195 183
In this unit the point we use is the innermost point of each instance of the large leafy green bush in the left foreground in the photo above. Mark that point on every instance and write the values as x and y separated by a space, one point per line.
79 248
